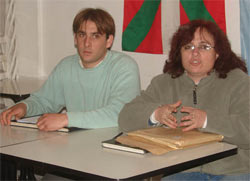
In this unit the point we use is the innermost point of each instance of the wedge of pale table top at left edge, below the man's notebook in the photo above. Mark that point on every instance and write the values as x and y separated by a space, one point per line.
11 135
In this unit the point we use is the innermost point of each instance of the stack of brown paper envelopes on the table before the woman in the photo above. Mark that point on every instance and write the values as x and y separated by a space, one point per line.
160 140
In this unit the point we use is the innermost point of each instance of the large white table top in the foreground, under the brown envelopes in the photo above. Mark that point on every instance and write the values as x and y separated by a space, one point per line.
82 151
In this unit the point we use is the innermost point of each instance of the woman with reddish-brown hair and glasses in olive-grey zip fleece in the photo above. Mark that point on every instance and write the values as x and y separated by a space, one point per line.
204 86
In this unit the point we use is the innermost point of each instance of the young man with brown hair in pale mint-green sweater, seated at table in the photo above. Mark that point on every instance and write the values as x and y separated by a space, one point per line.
92 85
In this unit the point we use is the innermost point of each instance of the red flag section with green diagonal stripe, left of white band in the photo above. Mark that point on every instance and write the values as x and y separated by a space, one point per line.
142 26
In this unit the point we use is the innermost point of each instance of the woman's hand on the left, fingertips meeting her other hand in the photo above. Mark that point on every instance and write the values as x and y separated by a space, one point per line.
163 114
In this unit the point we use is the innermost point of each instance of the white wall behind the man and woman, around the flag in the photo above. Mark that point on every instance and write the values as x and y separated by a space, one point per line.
44 35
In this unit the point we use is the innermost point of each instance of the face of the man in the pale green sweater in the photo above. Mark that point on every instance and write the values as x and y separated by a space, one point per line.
91 45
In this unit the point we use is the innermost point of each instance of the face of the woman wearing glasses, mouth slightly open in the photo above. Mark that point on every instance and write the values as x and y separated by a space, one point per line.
198 56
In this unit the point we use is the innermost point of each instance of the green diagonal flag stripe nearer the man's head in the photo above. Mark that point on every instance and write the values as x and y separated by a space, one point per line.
140 25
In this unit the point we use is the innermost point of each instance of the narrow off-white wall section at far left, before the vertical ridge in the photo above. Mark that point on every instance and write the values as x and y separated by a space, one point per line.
27 37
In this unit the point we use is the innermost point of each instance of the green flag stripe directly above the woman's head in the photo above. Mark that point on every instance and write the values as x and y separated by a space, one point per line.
196 9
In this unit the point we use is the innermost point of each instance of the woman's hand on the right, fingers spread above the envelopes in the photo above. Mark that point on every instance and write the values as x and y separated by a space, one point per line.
195 118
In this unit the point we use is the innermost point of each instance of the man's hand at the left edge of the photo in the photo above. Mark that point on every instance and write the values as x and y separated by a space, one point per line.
17 111
